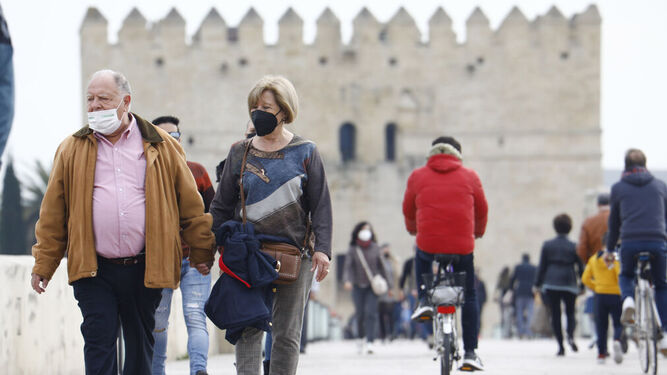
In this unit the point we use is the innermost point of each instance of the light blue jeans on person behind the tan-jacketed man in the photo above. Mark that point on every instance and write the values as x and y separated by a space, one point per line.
195 289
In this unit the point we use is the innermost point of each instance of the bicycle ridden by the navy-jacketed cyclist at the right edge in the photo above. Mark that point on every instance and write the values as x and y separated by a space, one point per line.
647 326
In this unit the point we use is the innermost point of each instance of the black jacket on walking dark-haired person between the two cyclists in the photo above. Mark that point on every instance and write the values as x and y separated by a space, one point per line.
560 266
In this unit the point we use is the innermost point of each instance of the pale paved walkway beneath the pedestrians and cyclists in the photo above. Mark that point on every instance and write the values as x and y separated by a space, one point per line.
501 357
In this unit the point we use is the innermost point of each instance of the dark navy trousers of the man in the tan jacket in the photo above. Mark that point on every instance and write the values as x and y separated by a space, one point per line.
117 293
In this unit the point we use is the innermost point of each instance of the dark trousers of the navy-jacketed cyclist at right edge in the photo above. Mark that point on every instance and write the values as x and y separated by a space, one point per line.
628 264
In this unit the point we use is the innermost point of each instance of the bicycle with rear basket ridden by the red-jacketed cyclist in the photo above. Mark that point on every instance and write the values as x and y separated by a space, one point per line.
446 296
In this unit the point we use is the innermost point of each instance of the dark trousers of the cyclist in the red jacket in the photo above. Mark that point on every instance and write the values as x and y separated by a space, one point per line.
470 316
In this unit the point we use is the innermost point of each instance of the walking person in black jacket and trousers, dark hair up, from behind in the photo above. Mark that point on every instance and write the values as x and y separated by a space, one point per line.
558 275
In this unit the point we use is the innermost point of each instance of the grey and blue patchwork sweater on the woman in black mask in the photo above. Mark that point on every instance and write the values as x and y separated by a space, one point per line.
282 188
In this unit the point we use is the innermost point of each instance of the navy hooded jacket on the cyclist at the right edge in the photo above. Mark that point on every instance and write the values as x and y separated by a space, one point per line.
637 204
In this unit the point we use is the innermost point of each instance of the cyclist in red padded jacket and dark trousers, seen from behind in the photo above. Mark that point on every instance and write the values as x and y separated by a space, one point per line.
444 205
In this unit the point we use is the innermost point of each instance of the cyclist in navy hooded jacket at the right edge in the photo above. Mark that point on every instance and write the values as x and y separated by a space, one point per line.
637 216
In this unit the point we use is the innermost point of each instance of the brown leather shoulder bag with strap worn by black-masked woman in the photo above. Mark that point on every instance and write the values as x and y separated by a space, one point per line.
287 256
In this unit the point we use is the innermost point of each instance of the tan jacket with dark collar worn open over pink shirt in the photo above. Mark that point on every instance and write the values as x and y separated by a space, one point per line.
172 202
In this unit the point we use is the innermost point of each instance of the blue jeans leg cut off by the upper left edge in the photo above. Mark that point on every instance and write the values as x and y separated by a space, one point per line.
6 93
